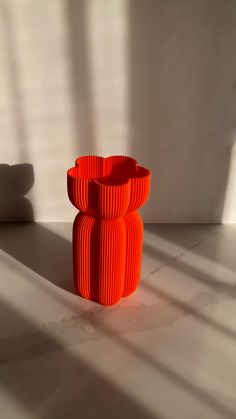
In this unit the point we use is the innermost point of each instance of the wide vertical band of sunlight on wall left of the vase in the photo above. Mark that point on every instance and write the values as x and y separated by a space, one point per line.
38 48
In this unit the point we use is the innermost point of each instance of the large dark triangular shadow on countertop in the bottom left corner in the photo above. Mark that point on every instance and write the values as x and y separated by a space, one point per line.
64 382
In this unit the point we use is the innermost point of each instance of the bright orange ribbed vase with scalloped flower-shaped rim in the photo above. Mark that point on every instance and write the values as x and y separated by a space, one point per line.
108 230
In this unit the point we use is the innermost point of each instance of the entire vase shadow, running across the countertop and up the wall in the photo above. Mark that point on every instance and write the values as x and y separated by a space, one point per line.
31 244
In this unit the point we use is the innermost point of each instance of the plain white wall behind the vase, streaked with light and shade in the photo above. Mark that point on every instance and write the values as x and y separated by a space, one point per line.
153 79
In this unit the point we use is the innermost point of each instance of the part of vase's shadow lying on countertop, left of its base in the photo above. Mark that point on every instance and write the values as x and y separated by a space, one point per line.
41 250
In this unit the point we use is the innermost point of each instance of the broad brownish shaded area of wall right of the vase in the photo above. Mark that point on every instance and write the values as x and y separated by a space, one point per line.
182 104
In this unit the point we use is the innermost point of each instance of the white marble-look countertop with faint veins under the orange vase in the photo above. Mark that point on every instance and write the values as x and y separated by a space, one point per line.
166 352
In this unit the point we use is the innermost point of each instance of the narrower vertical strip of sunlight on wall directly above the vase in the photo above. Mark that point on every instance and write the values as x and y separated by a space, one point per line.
107 55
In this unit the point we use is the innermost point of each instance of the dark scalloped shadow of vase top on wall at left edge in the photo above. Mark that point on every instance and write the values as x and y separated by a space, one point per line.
15 182
